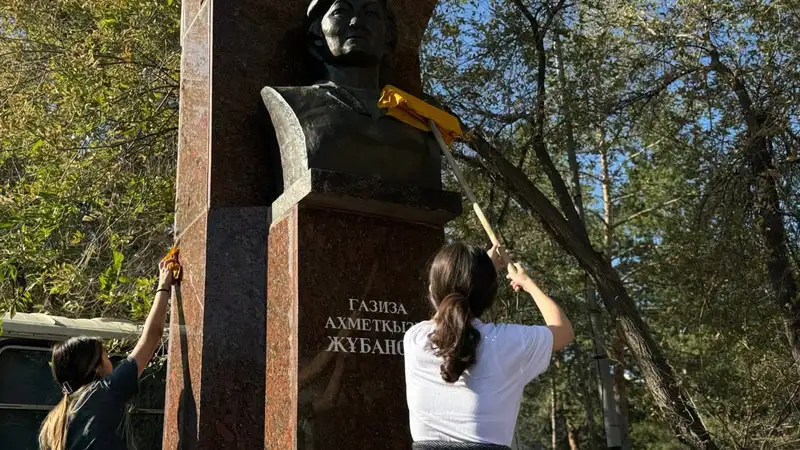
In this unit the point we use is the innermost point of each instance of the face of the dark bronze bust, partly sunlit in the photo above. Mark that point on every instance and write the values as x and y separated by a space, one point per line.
355 32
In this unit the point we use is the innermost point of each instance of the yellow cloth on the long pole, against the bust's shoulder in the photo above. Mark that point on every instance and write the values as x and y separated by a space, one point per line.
415 112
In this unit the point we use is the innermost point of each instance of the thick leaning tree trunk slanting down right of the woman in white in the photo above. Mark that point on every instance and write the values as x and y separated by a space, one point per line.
671 399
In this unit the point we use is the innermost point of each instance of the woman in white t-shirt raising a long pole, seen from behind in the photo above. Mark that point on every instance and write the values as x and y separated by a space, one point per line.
464 377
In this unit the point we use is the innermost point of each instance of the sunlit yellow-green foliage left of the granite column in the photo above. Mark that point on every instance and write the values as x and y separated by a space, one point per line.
88 127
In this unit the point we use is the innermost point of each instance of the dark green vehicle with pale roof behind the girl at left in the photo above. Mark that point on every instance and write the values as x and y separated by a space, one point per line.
28 391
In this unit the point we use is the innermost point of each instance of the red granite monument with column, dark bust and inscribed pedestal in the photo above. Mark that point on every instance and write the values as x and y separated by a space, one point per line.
305 230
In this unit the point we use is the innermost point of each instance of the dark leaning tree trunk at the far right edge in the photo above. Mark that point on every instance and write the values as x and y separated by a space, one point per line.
758 150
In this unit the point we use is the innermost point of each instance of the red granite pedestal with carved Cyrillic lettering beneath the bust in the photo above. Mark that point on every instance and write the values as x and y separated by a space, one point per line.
343 286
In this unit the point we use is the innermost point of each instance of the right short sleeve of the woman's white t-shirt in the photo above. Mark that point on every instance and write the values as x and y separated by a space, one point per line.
534 347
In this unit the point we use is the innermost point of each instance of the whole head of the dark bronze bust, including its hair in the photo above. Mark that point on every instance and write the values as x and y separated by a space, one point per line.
358 33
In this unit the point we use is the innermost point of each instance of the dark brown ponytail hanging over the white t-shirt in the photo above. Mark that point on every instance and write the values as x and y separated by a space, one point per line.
454 339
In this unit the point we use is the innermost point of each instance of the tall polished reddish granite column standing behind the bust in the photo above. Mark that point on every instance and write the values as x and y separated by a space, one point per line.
225 186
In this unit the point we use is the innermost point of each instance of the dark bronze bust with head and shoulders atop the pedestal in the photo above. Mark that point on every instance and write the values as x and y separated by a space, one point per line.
335 124
